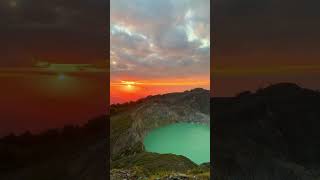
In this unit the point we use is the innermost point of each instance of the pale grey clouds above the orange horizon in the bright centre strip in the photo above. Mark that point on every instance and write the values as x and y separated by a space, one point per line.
163 23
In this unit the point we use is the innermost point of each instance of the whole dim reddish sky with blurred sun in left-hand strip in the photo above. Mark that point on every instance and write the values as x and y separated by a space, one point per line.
52 63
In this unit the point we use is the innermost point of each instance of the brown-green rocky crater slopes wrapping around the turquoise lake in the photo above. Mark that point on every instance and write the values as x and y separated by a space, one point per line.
131 122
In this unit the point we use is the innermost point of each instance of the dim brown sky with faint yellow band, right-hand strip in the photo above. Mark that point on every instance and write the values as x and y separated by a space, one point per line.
260 42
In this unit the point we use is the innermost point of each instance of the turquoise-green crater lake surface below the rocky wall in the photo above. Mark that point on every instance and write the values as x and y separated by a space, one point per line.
188 139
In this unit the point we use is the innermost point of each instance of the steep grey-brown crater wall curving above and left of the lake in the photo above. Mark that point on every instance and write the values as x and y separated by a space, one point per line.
190 107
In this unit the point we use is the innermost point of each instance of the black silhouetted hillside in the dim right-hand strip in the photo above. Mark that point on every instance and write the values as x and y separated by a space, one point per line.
272 133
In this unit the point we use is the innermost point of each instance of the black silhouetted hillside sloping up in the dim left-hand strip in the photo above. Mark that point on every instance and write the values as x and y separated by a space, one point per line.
72 152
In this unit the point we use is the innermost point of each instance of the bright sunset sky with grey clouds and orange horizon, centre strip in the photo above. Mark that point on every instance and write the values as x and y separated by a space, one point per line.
158 47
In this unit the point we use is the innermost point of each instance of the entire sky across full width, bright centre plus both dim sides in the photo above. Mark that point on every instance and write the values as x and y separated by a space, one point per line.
53 64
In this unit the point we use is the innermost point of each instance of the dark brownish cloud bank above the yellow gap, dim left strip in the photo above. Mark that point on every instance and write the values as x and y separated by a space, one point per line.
71 31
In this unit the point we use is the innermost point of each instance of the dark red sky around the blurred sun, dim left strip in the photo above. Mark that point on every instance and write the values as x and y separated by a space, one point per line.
37 101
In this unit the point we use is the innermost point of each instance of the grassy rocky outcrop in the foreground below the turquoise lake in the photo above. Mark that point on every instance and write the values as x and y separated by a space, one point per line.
153 166
